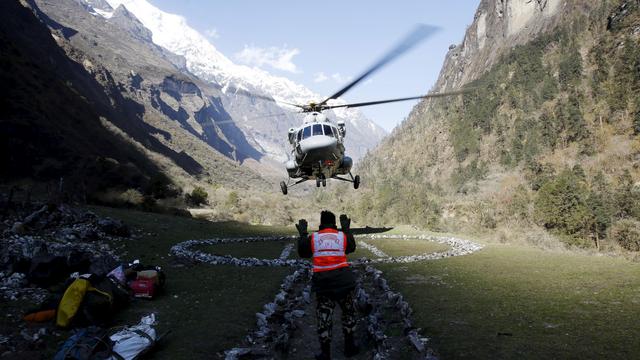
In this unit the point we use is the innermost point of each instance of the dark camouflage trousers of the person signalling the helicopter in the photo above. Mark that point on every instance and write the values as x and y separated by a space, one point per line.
324 315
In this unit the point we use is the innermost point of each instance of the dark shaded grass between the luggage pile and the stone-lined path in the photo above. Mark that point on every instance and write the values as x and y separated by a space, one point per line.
207 308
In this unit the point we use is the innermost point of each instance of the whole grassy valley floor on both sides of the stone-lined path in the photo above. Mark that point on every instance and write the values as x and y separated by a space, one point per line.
501 302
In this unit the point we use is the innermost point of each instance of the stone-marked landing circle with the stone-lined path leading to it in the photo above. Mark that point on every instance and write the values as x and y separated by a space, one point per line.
286 329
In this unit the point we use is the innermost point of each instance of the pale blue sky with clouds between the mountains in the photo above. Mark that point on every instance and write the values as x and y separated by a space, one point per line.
323 44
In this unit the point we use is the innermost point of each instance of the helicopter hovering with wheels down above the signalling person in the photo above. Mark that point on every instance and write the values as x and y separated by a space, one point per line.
318 144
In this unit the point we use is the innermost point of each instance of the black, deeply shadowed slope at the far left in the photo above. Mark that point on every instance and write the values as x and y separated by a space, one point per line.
52 112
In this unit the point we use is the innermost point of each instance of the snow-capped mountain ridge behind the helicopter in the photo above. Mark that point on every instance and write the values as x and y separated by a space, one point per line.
205 61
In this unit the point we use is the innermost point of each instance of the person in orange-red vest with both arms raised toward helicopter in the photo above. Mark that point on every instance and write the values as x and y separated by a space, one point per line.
333 281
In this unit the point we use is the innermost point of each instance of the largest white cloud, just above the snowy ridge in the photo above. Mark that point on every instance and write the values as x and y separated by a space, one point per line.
277 58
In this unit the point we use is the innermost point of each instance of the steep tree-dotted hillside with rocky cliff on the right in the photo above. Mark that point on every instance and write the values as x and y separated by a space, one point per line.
547 136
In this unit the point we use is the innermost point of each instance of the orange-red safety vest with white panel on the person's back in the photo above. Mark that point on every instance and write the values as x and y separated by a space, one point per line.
329 248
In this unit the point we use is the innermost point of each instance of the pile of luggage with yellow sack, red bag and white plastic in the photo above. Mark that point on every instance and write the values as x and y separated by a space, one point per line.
89 303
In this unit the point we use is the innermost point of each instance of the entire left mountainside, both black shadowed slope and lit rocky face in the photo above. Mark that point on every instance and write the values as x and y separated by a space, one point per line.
97 105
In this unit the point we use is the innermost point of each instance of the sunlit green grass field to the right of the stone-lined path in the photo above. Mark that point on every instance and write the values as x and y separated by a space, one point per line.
509 302
